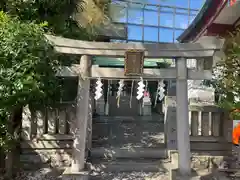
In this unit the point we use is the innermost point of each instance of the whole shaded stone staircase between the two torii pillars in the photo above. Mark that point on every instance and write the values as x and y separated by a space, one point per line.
128 148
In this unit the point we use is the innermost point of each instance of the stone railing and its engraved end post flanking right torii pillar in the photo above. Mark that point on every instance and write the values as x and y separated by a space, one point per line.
209 127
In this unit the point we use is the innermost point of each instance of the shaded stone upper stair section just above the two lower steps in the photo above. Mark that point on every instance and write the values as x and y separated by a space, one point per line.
128 134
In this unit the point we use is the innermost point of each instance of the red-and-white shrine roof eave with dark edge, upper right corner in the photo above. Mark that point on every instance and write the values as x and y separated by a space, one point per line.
216 18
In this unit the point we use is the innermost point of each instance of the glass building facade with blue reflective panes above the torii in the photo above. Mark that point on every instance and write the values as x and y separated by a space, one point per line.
165 33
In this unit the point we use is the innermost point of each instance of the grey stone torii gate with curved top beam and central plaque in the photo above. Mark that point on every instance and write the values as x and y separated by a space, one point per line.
137 62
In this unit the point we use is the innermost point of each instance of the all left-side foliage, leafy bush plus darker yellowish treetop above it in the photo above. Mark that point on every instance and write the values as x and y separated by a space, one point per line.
27 62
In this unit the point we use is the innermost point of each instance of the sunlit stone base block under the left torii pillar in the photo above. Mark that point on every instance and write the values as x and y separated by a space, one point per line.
69 175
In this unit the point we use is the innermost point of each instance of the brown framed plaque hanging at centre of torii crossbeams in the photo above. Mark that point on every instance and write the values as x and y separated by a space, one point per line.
134 61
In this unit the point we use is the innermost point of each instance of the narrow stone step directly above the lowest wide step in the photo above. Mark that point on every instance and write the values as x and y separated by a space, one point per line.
132 153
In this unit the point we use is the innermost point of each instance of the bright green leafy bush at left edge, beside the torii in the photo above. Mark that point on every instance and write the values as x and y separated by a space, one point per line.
27 66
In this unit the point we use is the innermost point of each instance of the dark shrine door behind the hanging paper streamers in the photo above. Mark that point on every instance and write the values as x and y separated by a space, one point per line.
124 108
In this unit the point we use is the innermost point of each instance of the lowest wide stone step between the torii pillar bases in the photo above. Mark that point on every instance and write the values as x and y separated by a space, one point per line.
100 166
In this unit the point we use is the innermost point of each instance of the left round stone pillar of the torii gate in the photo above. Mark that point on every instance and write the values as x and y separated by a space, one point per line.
82 115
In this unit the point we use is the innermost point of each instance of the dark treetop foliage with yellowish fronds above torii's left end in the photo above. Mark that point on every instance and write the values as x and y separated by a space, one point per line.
68 18
